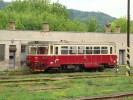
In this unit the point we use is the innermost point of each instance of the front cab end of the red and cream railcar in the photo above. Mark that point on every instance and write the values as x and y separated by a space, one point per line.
36 52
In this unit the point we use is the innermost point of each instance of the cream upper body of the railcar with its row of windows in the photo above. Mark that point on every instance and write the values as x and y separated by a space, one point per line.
71 48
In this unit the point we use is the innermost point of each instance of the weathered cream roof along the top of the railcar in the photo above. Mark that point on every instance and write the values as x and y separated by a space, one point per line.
69 43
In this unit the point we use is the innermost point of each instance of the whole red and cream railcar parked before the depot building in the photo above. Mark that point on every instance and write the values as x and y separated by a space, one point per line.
66 55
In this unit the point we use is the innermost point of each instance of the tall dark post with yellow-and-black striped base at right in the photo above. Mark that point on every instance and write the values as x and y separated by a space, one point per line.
128 39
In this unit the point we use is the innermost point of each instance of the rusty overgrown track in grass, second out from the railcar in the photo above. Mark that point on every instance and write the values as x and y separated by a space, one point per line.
7 80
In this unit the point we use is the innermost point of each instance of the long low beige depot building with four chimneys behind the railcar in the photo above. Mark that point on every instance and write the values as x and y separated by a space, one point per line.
13 43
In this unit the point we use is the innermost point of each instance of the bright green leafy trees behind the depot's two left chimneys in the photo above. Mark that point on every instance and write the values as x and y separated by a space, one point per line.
30 14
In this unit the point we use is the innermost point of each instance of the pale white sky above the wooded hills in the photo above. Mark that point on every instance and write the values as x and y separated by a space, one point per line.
114 8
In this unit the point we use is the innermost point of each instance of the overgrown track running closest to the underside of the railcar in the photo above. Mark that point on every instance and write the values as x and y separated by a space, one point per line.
95 75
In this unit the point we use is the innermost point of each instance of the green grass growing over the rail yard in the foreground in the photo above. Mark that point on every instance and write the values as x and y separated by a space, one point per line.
69 88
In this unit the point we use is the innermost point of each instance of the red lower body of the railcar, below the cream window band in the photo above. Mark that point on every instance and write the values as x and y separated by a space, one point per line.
44 62
